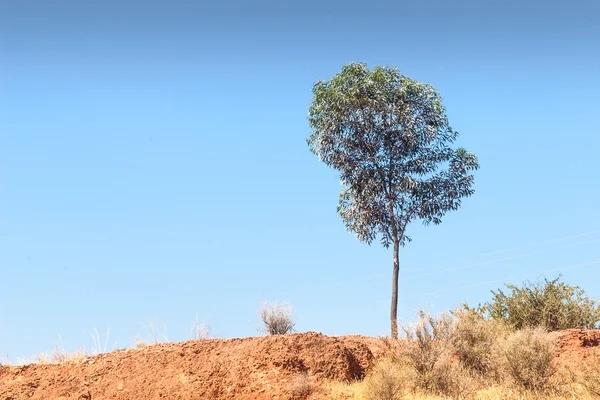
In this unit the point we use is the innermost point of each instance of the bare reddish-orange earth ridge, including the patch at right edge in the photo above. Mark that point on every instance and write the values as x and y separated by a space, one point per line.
250 368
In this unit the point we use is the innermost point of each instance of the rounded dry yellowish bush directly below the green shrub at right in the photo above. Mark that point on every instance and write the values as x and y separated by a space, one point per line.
527 357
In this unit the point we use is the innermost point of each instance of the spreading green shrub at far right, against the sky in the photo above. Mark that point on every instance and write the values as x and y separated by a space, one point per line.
552 305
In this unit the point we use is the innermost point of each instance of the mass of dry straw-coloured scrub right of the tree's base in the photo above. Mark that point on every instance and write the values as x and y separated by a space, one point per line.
461 355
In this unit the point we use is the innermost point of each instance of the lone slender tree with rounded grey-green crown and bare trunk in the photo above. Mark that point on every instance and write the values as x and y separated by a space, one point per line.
389 138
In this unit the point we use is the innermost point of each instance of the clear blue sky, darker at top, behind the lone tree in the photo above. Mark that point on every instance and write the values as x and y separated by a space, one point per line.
153 163
